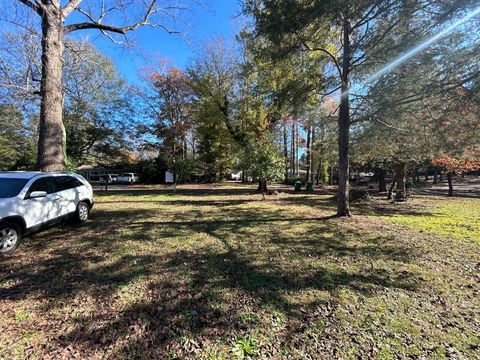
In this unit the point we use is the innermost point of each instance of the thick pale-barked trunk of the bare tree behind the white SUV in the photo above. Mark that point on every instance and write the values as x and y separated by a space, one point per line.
52 137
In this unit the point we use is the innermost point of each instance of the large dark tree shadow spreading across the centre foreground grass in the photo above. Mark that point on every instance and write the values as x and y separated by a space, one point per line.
182 316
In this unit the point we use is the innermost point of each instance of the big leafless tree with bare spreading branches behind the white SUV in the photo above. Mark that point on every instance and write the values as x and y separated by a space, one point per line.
113 18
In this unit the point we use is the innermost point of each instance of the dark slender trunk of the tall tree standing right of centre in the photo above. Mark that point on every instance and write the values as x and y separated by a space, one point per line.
343 204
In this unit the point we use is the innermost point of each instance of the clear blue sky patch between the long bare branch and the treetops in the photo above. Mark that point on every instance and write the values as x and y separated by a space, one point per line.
217 17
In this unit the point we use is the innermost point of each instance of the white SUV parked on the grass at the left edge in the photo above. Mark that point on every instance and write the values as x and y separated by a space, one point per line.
30 201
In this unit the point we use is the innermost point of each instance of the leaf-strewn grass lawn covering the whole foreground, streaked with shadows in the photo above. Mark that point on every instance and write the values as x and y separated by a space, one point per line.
216 273
